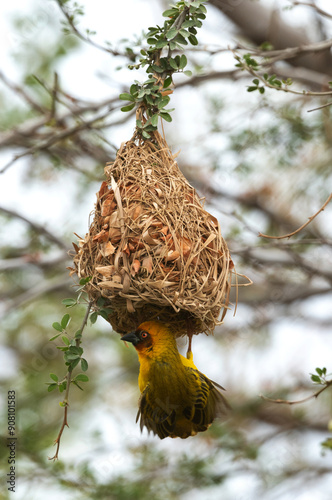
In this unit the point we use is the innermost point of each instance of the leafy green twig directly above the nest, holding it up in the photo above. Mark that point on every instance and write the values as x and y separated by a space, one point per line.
178 30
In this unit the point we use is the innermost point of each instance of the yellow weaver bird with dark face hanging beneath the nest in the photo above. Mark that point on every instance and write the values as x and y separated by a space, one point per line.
177 400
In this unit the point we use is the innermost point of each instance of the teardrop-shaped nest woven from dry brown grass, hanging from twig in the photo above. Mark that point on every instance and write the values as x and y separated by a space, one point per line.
152 250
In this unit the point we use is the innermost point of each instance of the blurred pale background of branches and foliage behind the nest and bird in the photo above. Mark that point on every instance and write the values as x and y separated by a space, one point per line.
262 162
